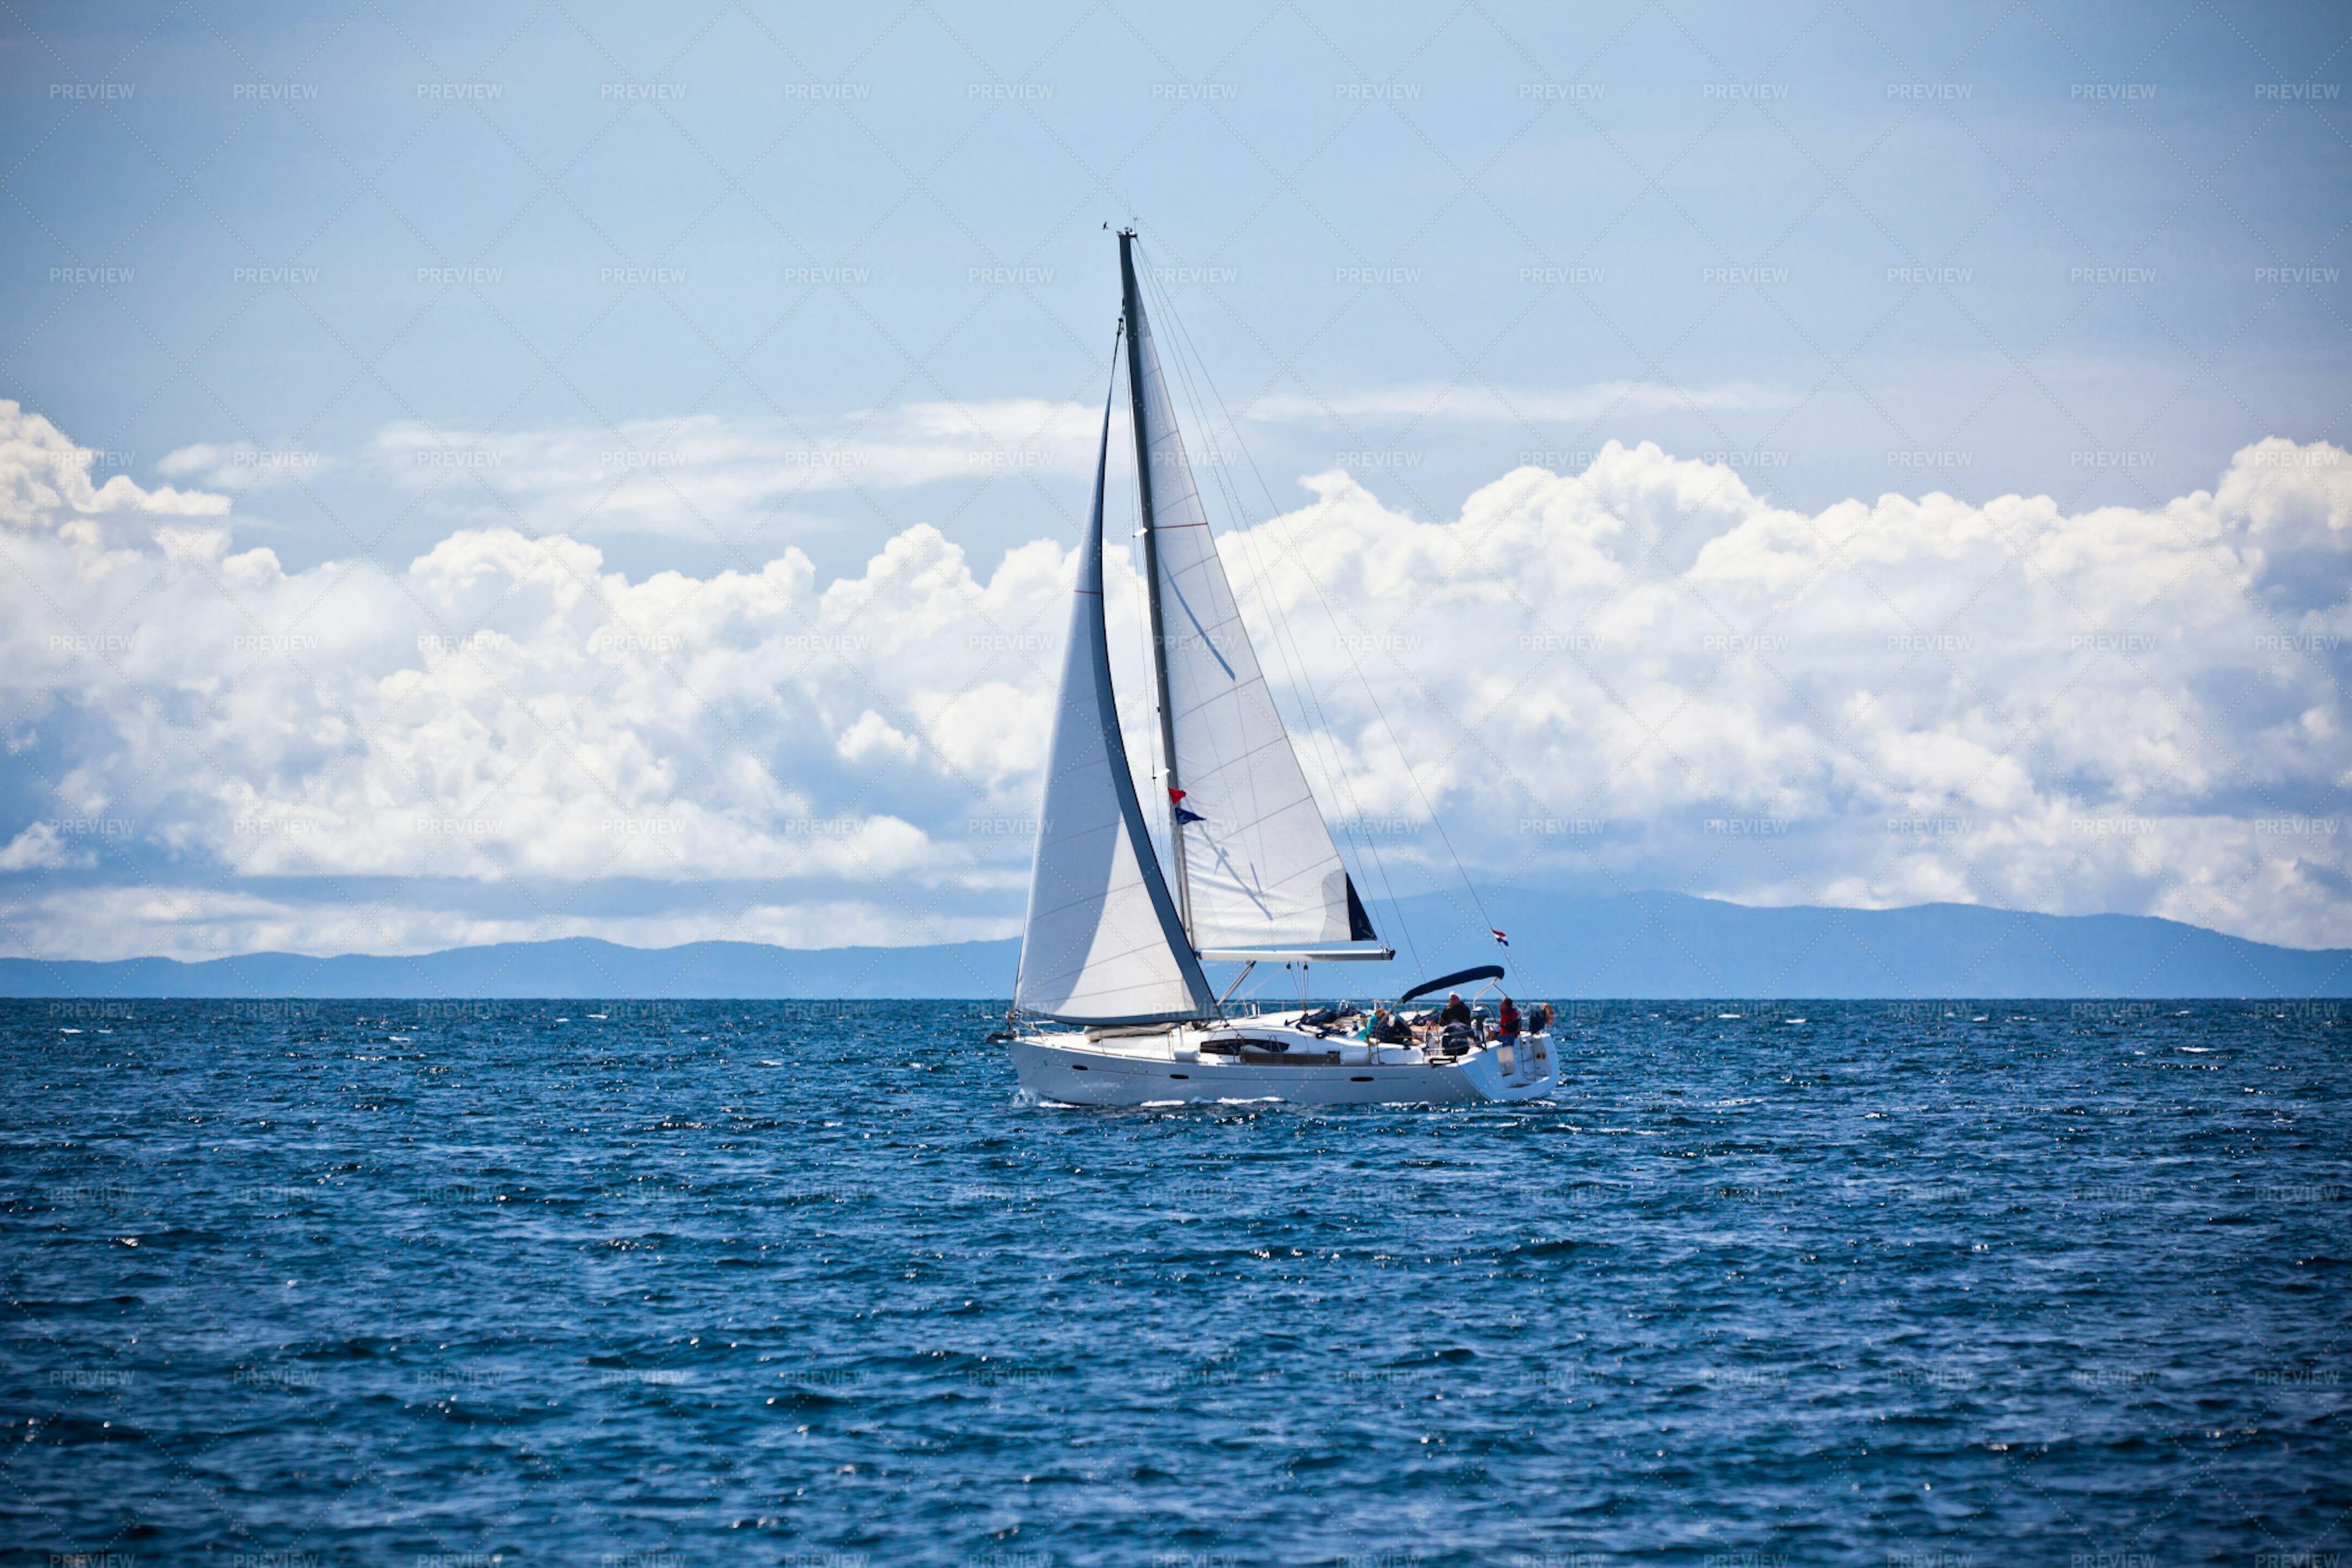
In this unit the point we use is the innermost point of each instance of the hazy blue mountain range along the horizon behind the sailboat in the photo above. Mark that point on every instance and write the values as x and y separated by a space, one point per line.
1561 946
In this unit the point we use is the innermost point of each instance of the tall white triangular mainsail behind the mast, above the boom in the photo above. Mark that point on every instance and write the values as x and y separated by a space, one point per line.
1255 859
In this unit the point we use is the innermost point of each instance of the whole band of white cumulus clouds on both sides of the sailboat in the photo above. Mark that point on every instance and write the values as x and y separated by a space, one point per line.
1636 676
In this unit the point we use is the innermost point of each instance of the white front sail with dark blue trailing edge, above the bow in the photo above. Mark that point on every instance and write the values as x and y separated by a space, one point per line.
1102 942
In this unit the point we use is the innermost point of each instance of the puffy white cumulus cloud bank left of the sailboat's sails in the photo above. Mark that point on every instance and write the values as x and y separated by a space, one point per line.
505 709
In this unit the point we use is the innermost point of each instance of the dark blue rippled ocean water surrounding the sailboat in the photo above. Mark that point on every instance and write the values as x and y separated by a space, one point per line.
290 1285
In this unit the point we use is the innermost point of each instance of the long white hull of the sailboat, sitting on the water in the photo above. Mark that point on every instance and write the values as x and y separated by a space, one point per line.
1175 1071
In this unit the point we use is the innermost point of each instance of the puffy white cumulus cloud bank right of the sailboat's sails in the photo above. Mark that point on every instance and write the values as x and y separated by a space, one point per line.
1648 674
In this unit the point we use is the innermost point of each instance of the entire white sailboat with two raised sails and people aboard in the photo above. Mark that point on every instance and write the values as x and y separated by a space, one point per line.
1114 1003
